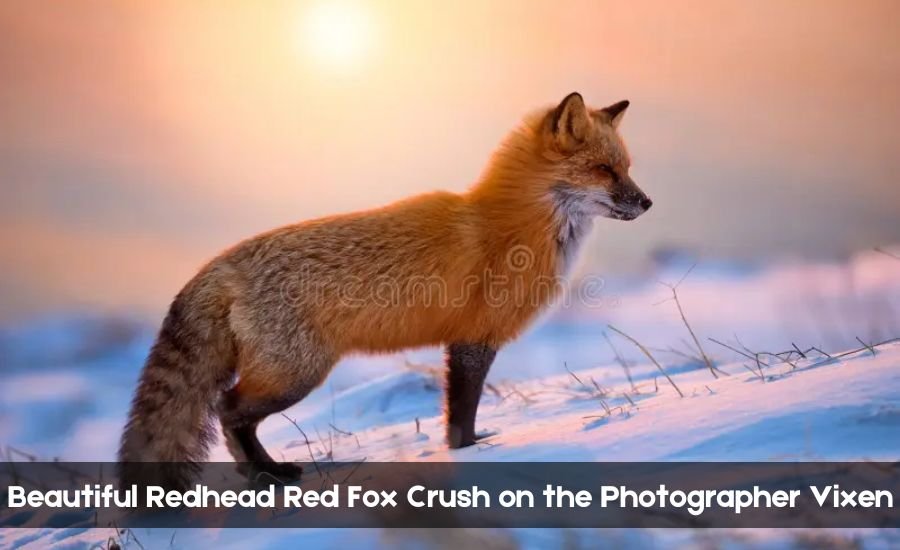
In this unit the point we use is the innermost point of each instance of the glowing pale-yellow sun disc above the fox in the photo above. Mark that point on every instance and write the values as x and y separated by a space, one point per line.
337 33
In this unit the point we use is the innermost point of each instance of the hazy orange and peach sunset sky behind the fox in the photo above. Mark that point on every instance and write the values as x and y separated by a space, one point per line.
138 139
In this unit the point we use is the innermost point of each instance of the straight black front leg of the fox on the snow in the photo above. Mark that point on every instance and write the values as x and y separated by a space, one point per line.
467 367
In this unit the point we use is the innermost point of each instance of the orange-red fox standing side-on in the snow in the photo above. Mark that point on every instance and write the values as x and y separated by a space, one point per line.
262 324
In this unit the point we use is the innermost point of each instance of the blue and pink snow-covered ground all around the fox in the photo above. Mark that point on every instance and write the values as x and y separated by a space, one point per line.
557 394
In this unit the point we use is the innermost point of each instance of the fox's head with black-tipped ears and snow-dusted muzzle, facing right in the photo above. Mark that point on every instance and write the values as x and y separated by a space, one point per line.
589 162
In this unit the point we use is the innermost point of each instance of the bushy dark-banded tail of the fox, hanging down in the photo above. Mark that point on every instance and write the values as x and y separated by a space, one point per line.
169 428
